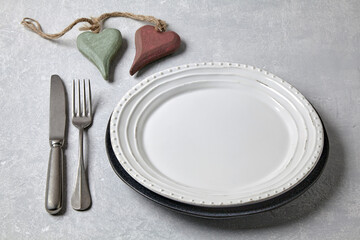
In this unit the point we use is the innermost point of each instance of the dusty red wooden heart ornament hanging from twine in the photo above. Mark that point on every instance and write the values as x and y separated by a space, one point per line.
151 45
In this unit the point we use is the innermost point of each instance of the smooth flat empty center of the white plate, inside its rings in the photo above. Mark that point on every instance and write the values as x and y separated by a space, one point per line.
218 138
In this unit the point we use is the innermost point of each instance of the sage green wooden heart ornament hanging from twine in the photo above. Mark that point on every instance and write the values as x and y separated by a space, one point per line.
100 48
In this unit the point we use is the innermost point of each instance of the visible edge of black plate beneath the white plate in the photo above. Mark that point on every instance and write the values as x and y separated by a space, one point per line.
219 212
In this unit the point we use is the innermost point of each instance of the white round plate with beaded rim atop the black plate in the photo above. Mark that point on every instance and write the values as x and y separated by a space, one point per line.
216 134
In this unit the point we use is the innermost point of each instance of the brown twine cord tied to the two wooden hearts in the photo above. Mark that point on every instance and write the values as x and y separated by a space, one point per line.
94 24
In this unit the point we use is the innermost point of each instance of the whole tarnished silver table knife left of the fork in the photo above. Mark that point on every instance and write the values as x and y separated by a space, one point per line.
57 124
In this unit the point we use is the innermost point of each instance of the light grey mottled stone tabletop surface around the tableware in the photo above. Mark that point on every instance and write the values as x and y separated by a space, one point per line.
314 45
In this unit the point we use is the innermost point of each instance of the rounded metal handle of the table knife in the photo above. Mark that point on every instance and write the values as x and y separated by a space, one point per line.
54 182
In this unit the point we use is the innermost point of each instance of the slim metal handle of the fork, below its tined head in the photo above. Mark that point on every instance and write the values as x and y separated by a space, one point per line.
81 198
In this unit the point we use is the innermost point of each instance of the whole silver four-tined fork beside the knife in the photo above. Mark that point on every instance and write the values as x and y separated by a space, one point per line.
81 118
